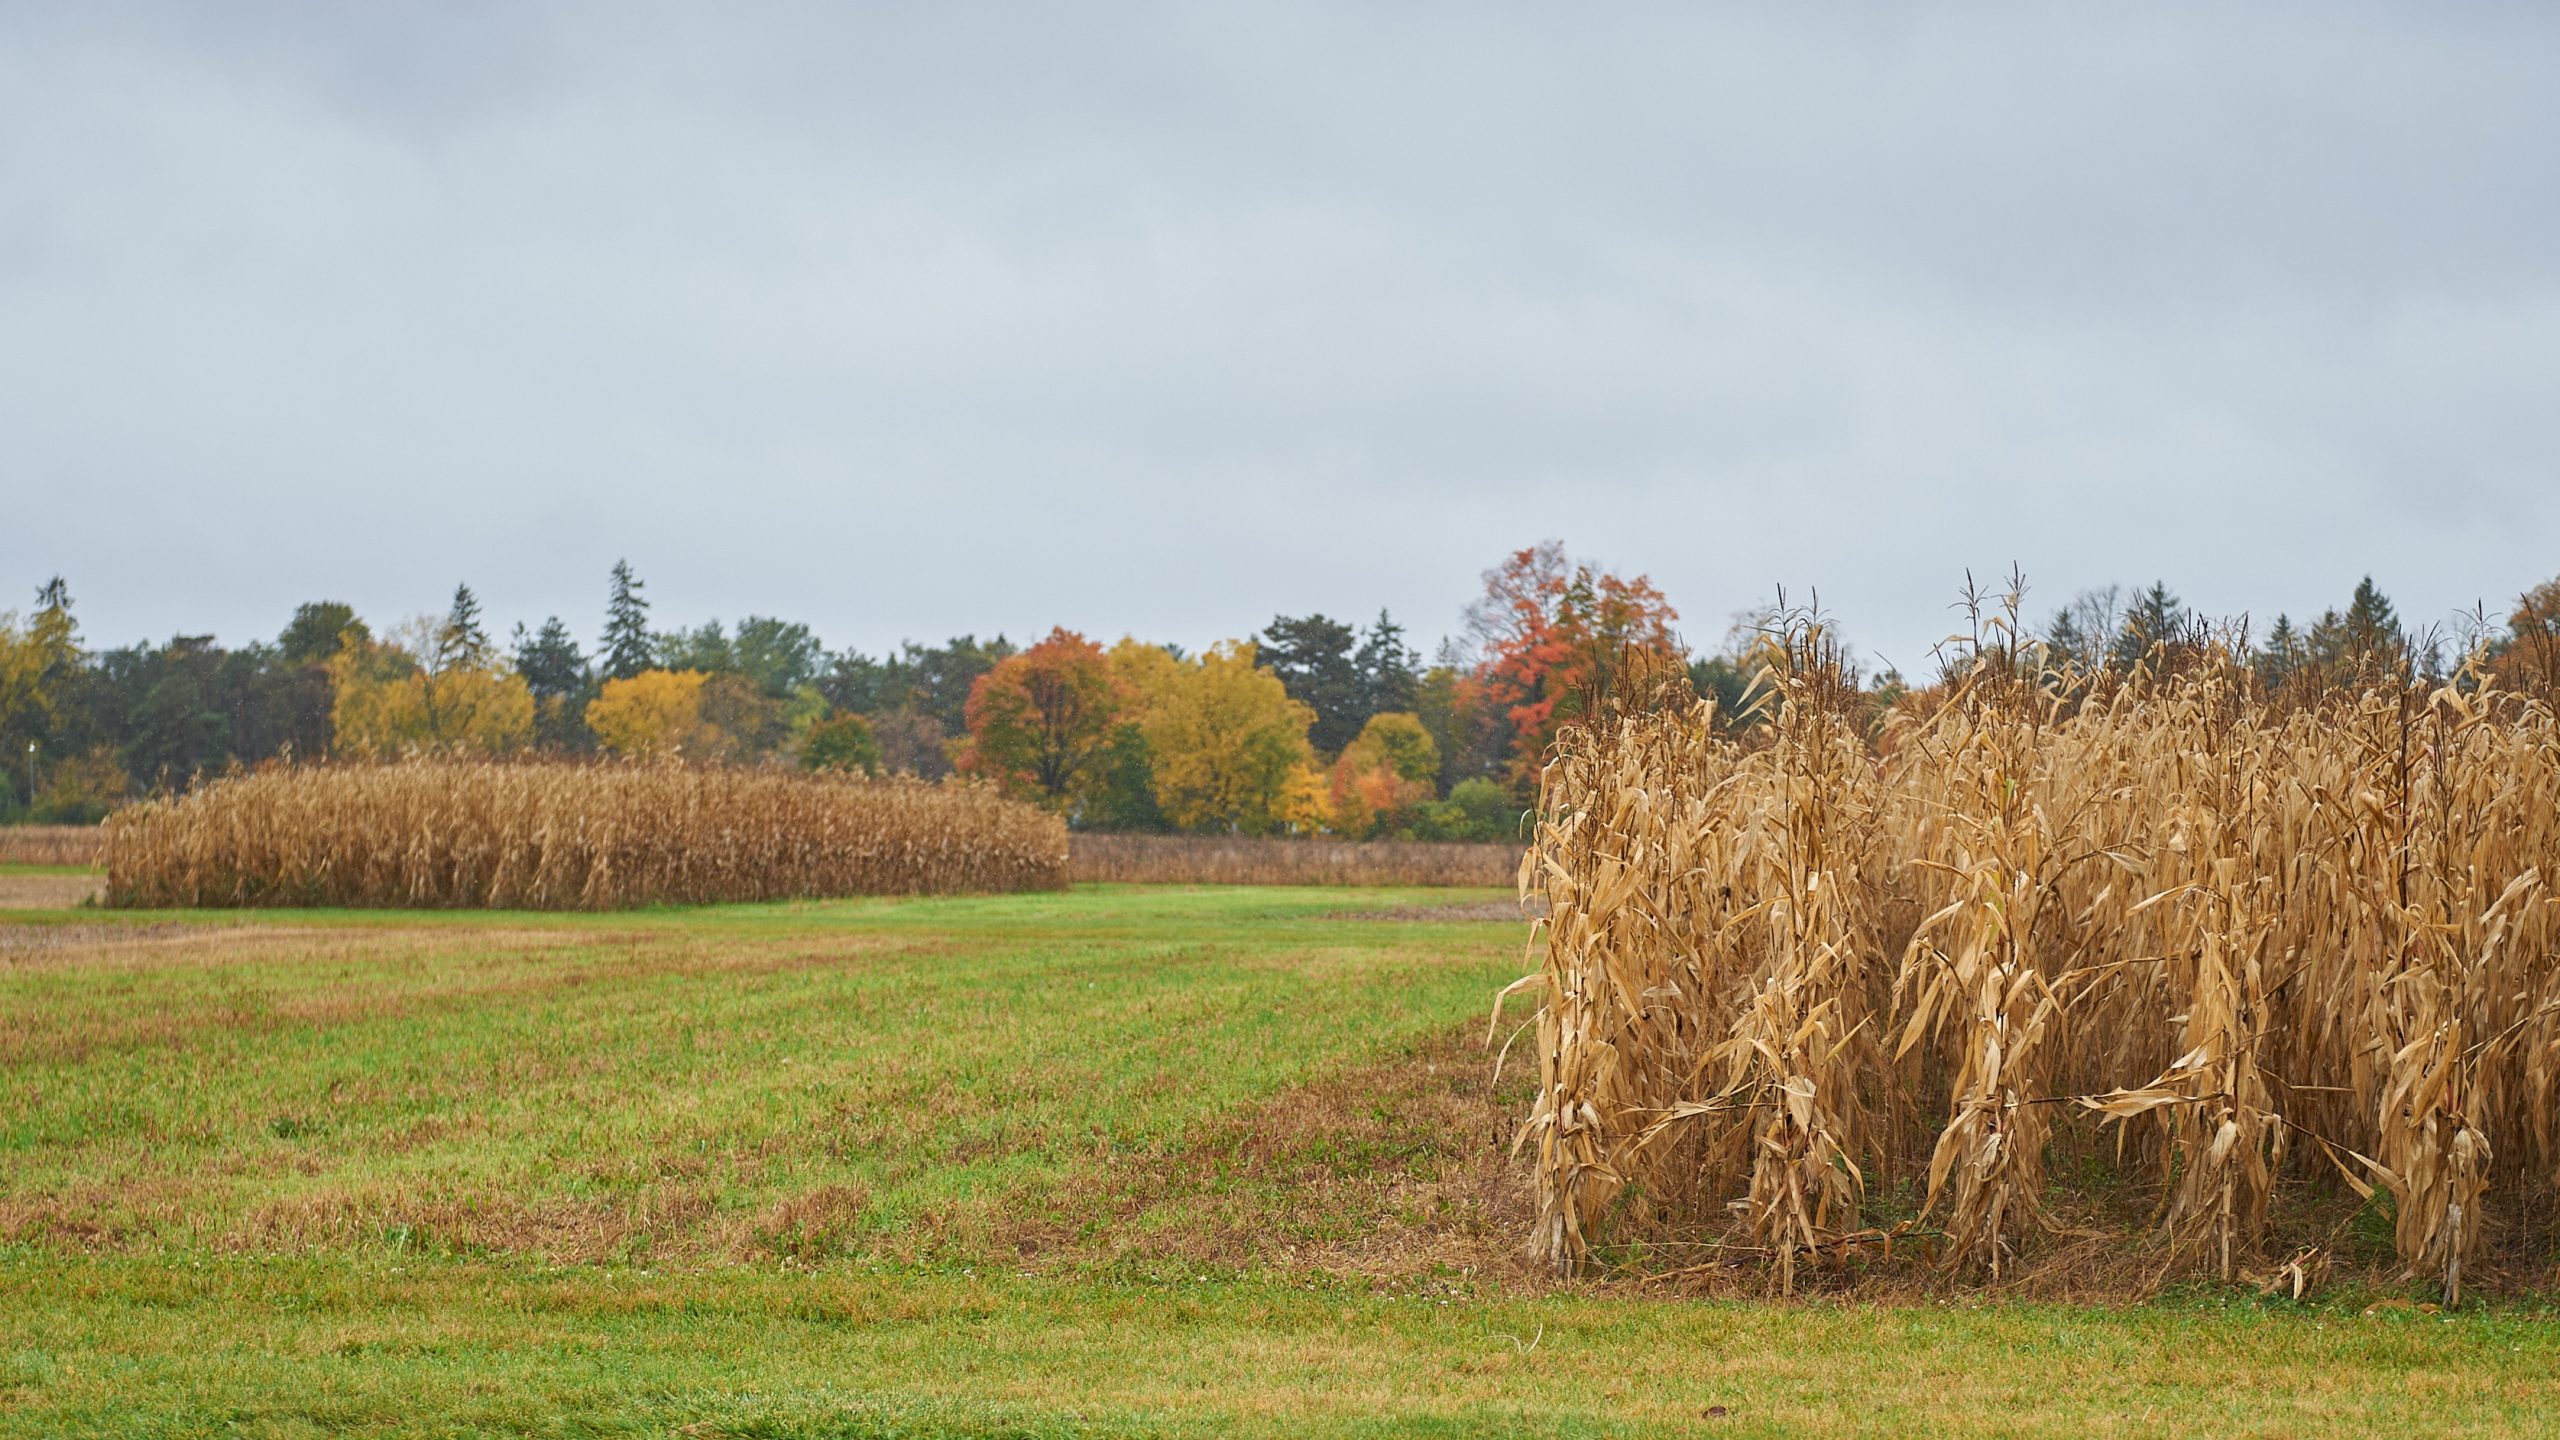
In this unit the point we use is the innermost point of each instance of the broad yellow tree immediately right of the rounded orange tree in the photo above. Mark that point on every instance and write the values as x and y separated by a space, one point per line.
1225 742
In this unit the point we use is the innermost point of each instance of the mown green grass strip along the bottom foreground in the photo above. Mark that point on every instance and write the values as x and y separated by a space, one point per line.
385 1346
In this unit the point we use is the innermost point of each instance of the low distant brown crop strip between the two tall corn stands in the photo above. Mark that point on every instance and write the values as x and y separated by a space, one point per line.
1243 860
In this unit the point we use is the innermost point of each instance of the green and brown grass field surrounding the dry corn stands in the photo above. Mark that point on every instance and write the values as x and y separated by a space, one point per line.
1120 1162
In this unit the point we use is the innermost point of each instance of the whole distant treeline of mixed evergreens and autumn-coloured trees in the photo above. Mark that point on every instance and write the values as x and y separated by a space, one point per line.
1309 726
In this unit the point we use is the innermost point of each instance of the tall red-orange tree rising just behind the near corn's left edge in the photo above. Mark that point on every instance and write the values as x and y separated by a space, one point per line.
1553 634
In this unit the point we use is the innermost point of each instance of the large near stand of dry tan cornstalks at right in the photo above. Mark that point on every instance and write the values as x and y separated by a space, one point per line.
2257 954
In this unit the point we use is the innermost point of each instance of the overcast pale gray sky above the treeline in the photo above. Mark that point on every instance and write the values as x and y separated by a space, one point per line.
933 319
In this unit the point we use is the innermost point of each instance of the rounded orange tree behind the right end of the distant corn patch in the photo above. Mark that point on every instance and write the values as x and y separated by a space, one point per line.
1041 719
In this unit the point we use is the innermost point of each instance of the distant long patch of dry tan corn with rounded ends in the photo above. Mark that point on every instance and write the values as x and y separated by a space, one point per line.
557 837
